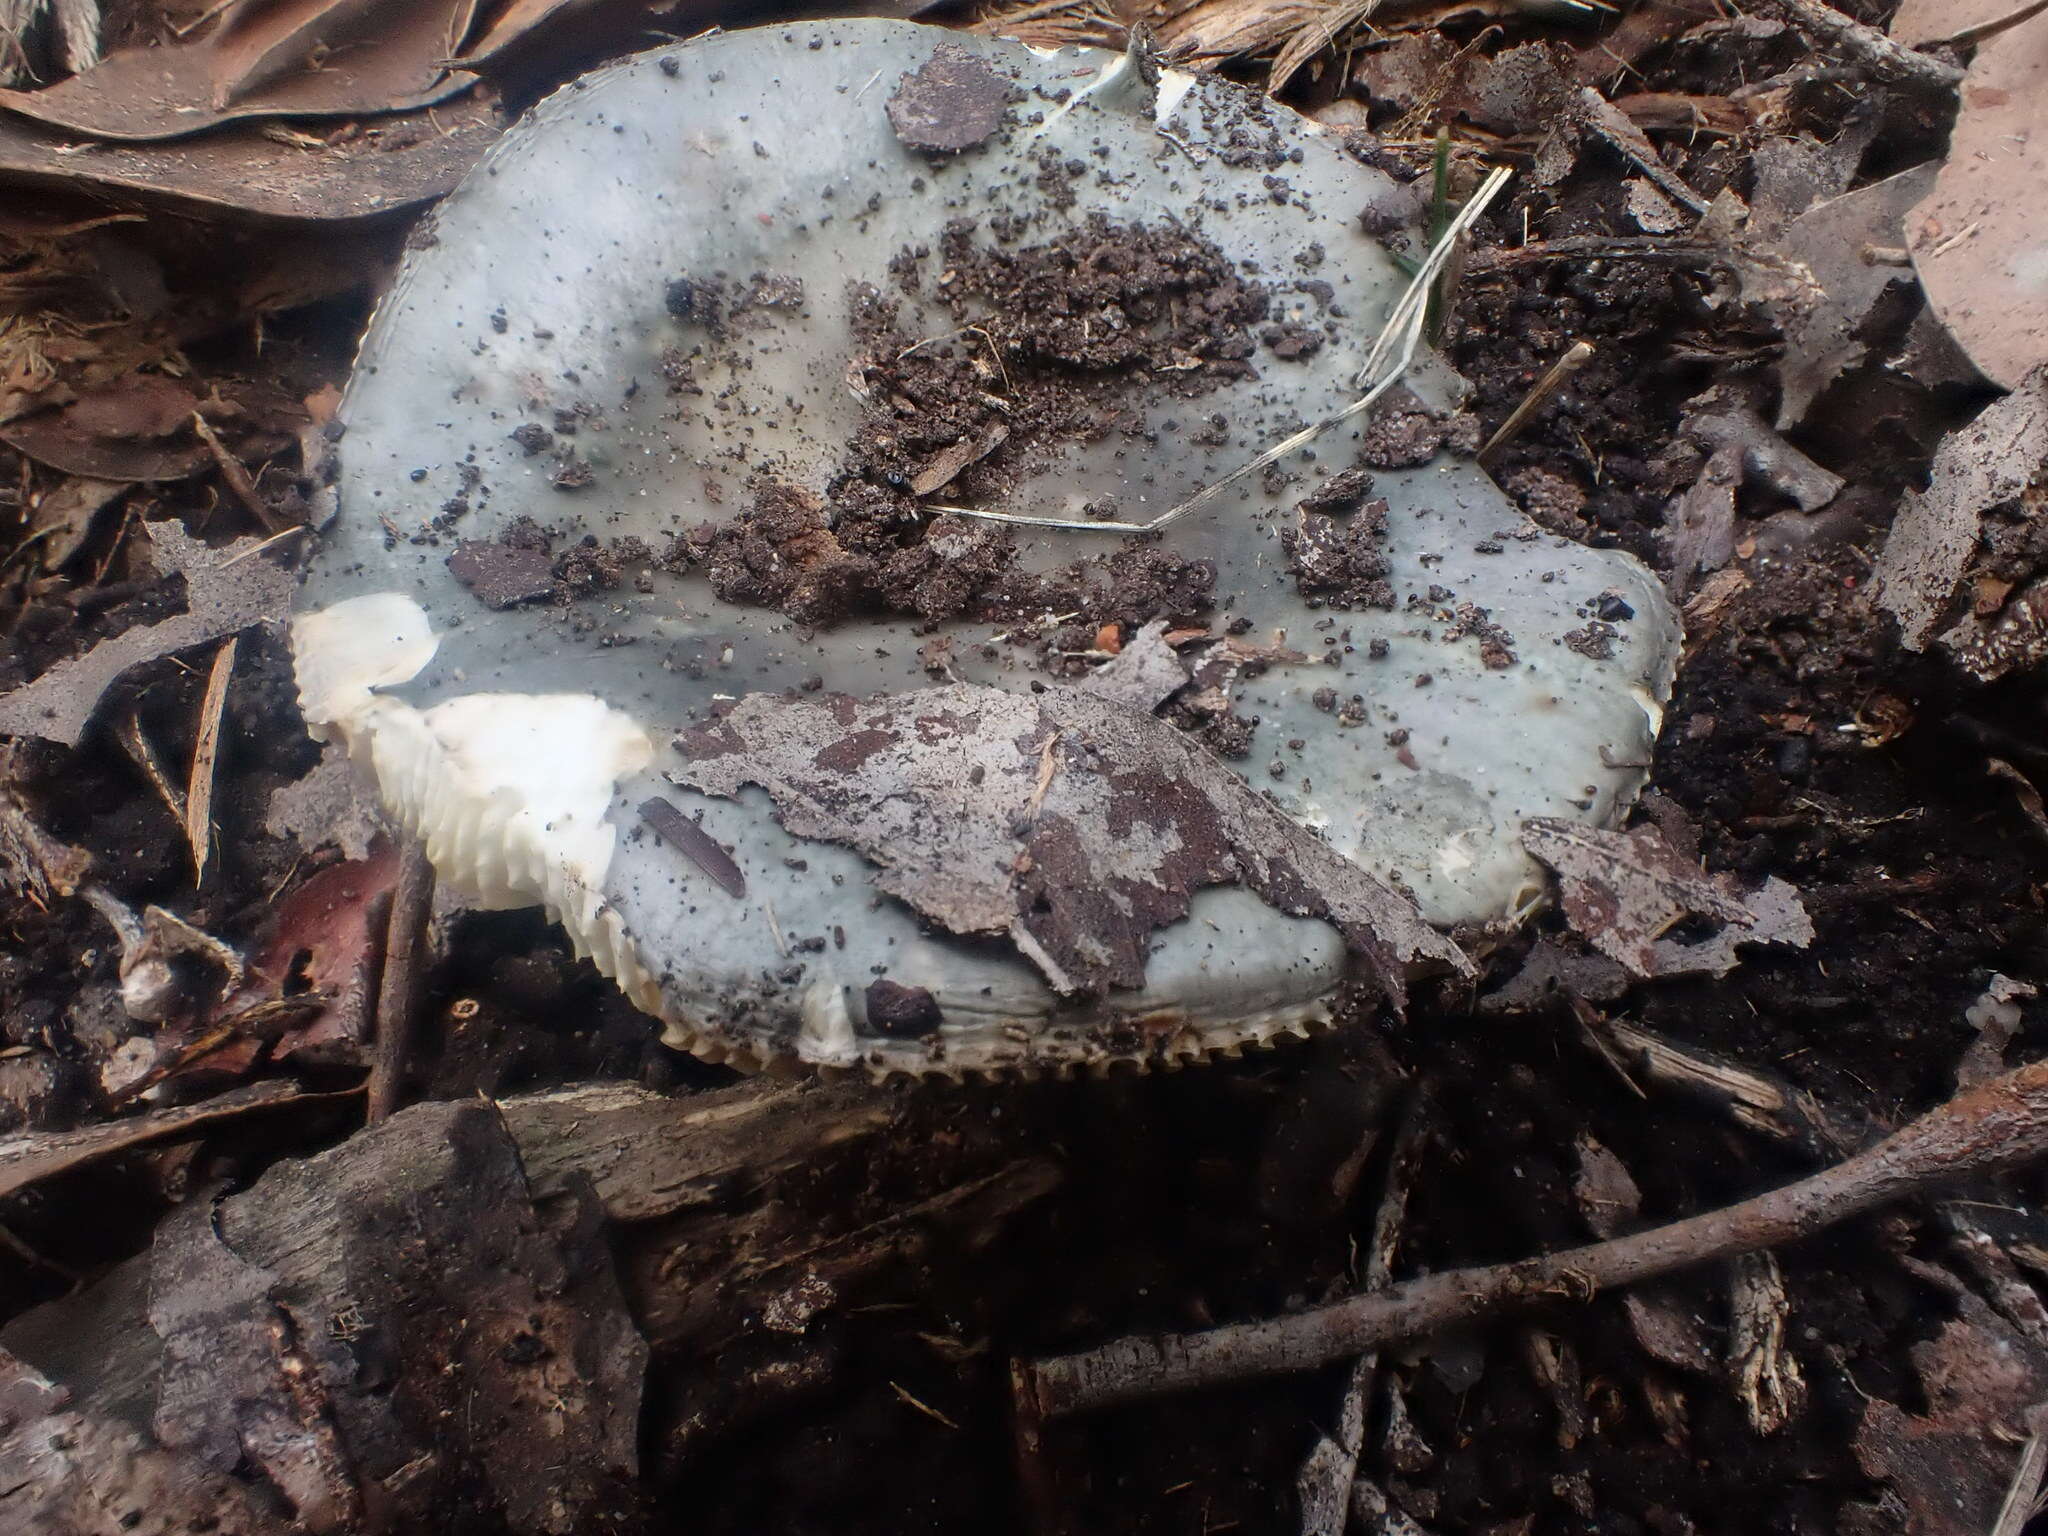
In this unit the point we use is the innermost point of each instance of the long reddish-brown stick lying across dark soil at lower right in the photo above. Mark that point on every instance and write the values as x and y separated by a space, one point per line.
1983 1132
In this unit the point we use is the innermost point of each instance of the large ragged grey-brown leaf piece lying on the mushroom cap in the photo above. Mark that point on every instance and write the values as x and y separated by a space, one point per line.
1007 814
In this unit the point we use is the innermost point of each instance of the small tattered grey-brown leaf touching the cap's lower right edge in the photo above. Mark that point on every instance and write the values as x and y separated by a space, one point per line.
1627 890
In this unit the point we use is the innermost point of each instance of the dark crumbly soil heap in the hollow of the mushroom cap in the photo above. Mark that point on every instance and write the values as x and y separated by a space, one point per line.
1054 345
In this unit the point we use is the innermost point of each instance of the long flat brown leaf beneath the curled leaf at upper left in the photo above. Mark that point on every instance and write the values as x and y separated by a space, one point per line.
361 171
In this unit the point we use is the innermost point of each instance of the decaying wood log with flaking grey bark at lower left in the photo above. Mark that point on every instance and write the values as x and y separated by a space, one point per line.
429 1316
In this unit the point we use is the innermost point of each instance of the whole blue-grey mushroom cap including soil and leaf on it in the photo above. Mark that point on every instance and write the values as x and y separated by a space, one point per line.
849 452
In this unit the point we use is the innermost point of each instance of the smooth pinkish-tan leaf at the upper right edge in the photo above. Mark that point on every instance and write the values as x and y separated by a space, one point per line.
1979 241
